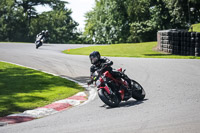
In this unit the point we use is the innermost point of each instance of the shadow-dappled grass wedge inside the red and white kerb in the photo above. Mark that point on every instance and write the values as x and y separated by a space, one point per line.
23 88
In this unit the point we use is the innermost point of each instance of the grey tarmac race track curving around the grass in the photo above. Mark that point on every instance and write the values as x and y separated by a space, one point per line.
172 86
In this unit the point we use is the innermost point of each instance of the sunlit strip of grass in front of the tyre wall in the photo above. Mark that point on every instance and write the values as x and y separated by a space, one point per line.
144 50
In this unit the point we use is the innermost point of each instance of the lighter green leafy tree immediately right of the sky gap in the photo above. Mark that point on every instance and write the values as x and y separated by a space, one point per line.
107 23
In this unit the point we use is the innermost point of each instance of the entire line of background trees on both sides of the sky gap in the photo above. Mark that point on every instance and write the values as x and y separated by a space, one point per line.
110 21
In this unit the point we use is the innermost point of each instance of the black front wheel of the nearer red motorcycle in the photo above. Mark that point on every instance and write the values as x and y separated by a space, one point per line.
110 100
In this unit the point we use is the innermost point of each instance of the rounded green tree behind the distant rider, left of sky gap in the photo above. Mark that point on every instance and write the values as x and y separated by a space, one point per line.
61 26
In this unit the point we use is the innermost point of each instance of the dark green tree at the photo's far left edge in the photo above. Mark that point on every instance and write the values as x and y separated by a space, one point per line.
11 21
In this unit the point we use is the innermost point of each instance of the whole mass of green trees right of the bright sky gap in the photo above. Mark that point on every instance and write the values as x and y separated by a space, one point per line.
116 21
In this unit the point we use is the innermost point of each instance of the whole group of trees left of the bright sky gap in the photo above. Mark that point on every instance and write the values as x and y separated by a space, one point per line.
19 21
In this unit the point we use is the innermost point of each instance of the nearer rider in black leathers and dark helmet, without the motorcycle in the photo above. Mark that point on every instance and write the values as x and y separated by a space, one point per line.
99 63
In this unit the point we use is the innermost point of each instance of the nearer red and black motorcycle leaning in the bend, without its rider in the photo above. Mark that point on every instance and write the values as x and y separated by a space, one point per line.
112 91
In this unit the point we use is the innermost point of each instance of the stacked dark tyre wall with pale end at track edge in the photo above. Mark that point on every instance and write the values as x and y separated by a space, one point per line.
179 42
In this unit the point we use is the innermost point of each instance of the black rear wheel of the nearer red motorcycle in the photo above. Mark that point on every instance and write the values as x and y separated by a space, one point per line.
138 92
